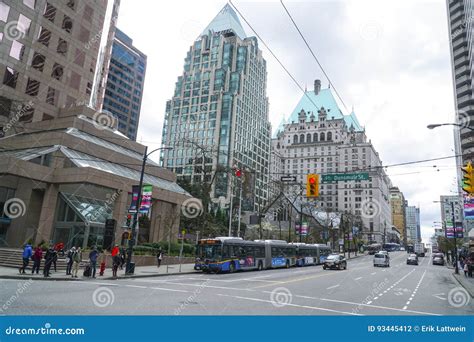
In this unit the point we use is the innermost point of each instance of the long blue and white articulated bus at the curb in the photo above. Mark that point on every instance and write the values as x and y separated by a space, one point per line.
229 254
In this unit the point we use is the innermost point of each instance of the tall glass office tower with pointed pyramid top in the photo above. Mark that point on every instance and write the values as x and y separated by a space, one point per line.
217 119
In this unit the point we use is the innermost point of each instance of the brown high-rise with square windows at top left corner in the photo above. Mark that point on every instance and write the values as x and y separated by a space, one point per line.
54 55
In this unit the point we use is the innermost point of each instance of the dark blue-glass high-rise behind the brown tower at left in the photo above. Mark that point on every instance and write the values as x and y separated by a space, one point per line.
125 83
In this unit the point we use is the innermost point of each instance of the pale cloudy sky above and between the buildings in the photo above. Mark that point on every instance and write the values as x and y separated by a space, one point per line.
389 60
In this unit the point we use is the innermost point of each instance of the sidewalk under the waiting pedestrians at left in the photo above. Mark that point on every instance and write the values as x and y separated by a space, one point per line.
140 272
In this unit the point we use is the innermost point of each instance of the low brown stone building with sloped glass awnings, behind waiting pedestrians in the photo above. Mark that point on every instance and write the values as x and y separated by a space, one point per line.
64 178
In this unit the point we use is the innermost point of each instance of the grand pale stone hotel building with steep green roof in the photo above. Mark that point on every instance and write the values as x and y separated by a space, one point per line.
319 138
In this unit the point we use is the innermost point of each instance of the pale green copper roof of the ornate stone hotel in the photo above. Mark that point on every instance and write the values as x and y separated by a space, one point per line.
324 99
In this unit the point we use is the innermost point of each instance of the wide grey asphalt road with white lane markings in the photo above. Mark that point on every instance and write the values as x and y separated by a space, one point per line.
362 289
